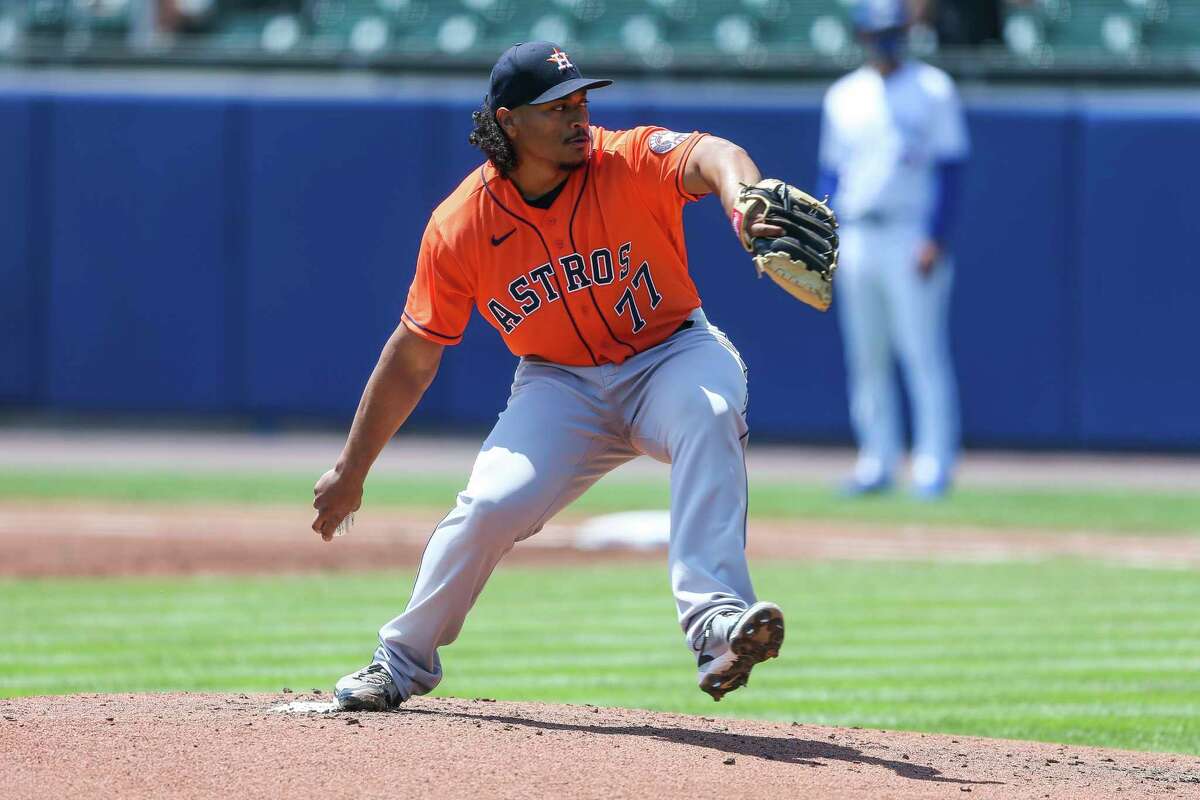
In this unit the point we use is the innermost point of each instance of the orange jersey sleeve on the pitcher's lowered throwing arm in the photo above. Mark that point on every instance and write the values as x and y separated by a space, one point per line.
441 298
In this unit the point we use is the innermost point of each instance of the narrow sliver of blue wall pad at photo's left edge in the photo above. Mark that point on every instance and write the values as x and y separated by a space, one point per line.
19 302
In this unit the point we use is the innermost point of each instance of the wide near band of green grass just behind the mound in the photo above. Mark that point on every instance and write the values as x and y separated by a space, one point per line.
1060 652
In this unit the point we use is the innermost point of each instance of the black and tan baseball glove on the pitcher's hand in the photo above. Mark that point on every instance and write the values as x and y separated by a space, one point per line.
805 260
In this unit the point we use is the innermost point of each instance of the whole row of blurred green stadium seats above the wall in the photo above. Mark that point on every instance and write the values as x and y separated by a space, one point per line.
717 35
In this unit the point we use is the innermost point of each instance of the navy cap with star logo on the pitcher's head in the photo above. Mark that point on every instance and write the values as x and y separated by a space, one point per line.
536 73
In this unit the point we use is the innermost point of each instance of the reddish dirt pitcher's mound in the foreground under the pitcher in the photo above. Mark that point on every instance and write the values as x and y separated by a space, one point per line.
242 747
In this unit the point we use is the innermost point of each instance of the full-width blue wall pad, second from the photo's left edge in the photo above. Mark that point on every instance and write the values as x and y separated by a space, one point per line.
137 269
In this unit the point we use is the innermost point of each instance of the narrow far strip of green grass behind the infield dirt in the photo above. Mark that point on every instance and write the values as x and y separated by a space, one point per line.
1127 512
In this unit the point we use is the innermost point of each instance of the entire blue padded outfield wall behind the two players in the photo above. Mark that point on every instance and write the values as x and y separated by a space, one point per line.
250 256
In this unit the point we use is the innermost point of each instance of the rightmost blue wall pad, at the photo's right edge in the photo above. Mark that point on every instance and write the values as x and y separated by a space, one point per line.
1139 353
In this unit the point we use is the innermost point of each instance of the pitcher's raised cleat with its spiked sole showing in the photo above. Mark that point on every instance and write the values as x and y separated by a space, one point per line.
734 642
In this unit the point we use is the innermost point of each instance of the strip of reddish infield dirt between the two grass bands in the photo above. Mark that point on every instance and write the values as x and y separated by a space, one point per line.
89 539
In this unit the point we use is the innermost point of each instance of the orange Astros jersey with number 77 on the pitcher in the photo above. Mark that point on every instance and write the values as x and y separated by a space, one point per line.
598 278
